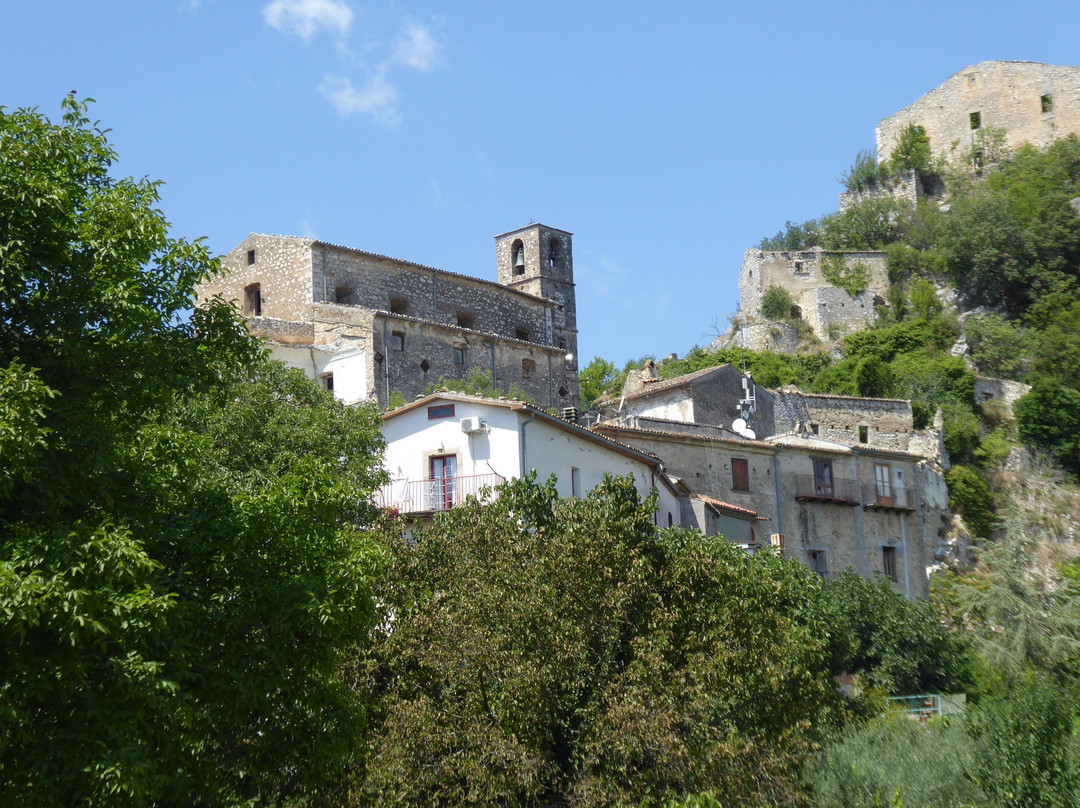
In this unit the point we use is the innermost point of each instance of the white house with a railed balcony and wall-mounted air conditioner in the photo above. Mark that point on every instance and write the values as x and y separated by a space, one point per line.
443 448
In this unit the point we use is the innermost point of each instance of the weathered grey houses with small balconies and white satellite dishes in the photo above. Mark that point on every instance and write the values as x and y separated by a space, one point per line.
841 481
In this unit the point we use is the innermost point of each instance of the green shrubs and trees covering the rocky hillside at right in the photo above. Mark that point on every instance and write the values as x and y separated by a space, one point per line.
1007 241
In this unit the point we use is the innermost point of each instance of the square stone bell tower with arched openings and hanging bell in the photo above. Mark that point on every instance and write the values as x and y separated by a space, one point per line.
539 261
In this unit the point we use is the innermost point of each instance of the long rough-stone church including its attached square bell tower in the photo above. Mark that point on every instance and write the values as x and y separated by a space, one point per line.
369 327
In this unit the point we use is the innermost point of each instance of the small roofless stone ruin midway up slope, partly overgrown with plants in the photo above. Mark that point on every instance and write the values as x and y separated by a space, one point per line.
809 278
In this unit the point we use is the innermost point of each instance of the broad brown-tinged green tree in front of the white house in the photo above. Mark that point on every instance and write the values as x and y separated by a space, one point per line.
550 652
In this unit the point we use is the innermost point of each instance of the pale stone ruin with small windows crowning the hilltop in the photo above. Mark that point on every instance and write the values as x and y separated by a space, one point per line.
1032 102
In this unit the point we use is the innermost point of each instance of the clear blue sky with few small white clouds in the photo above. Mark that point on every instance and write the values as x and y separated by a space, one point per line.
667 138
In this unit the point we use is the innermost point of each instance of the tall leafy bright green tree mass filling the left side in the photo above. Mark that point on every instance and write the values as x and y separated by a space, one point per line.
181 559
